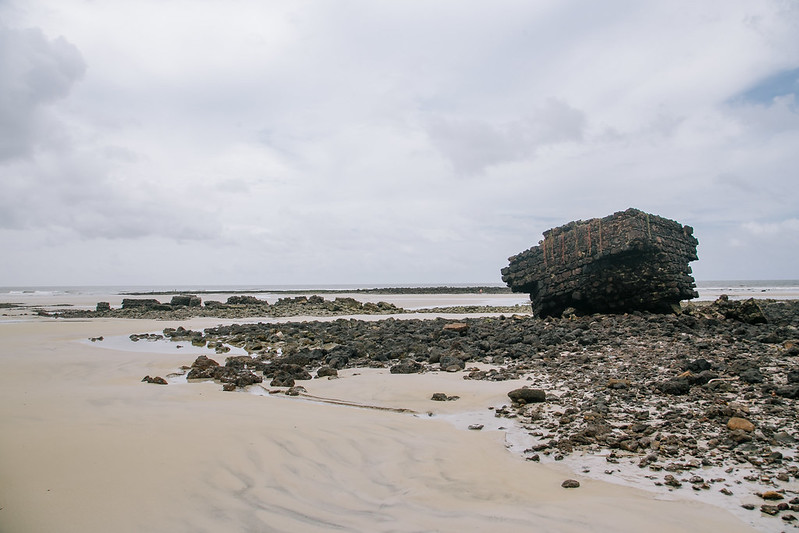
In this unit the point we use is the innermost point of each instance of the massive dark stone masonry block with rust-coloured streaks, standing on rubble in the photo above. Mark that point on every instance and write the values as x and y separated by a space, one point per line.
628 261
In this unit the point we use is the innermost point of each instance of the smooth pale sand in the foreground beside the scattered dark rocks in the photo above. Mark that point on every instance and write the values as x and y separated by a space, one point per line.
86 446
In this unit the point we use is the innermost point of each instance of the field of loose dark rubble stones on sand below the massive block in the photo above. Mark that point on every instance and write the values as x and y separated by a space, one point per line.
714 388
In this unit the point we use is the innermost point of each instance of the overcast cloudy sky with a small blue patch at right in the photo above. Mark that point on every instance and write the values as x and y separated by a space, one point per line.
387 142
